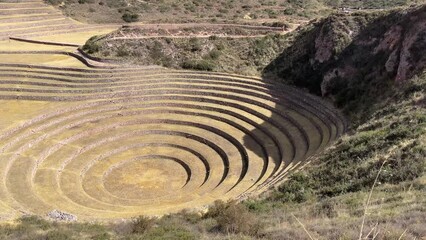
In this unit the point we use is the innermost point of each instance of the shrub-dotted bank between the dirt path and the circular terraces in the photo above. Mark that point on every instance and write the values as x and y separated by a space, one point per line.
237 55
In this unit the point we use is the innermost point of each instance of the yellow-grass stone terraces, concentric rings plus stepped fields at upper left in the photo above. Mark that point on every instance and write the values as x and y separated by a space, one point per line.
102 141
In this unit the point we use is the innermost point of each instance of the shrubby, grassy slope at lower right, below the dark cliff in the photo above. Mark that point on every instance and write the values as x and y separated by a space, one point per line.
331 193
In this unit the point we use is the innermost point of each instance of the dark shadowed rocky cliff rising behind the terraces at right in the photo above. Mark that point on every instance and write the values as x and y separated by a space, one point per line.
345 57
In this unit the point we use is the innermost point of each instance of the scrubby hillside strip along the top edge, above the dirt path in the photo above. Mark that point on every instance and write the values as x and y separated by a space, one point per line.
107 11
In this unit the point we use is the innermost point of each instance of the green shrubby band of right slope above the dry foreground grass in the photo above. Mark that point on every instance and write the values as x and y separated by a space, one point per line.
394 134
